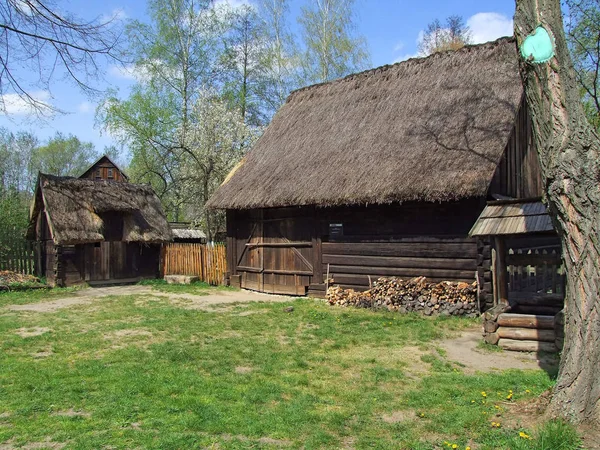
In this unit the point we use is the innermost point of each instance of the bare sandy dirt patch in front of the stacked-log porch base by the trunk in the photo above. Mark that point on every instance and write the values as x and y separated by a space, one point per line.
463 349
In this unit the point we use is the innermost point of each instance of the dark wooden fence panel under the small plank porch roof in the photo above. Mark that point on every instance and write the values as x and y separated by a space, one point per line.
535 270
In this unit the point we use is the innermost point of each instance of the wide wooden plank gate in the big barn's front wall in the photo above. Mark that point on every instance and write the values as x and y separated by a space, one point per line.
277 254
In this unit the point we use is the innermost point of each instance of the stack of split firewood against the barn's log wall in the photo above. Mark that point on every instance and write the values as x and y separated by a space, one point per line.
415 295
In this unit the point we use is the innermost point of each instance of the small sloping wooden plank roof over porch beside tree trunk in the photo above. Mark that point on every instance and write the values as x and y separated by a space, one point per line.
513 217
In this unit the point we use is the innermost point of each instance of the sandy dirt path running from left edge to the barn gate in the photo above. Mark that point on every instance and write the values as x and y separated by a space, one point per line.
209 302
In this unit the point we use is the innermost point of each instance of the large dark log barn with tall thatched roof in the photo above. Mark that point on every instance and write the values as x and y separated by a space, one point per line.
382 173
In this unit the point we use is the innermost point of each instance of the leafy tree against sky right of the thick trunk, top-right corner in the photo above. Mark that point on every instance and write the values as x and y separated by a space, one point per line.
582 24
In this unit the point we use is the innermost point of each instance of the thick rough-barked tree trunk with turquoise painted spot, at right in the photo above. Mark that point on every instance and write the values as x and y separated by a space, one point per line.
569 152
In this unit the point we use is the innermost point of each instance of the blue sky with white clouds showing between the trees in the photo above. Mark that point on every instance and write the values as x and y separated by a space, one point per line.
390 27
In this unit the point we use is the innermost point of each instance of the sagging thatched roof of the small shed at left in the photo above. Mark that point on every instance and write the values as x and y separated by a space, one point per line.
74 209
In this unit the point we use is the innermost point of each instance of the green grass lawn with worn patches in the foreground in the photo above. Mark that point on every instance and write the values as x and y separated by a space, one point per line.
142 372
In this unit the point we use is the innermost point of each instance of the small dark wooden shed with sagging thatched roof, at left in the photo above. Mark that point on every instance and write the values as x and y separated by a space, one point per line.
96 231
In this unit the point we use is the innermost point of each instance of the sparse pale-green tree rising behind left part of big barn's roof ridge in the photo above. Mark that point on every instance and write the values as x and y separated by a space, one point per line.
333 49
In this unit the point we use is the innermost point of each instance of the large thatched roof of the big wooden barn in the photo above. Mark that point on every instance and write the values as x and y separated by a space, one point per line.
430 129
